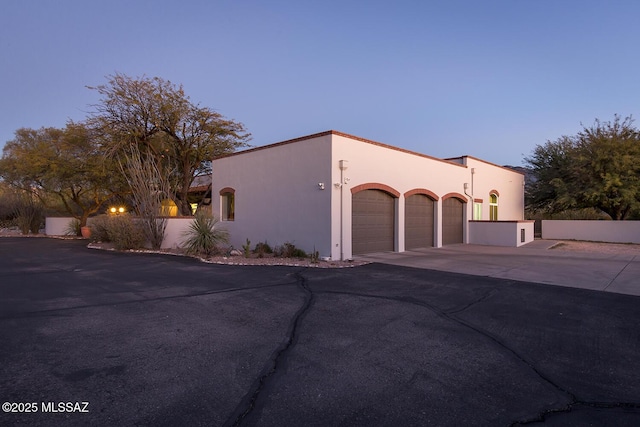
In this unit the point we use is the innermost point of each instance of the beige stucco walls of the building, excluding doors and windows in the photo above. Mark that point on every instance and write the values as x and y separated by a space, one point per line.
278 199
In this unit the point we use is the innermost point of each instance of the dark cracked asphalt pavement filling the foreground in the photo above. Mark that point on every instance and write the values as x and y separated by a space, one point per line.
163 340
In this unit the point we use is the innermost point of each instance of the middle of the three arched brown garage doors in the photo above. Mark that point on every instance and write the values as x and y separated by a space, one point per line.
418 222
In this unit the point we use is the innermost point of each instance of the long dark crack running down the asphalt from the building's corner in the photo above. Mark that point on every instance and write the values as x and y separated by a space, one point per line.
248 403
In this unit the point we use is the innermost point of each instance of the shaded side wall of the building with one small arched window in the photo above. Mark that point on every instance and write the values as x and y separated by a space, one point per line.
277 196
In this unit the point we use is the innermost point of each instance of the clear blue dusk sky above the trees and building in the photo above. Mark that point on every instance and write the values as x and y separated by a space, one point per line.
491 79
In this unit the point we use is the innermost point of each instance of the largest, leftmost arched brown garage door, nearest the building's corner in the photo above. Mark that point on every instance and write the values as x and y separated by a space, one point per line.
373 219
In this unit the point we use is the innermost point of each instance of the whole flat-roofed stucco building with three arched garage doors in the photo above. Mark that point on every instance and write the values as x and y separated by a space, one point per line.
344 196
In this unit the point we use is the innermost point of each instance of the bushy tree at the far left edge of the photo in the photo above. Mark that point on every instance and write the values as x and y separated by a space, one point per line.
67 163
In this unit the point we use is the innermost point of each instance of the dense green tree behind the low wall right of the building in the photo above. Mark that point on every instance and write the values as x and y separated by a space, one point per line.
599 168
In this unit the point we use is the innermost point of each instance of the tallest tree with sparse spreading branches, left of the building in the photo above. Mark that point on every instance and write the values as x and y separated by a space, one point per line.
156 116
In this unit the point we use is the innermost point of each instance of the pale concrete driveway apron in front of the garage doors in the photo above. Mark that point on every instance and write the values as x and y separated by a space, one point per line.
534 262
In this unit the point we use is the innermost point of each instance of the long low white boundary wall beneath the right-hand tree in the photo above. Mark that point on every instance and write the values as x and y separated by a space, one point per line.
592 230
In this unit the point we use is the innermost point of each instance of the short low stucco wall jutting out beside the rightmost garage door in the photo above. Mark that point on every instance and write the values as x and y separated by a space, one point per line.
501 233
